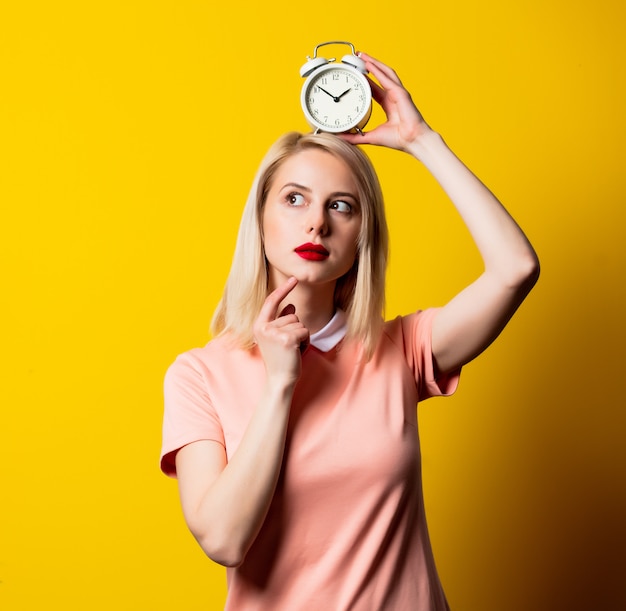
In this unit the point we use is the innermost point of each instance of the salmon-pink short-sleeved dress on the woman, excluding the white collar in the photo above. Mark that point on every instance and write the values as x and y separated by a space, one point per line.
346 528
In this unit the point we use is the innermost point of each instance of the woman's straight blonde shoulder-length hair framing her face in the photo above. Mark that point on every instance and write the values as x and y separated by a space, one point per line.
360 292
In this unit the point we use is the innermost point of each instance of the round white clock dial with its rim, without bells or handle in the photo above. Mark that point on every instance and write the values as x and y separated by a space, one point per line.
336 99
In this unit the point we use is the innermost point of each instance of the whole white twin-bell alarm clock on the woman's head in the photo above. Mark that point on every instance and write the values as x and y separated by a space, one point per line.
336 97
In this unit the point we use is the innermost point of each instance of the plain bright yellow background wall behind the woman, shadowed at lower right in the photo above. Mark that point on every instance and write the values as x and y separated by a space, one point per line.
129 134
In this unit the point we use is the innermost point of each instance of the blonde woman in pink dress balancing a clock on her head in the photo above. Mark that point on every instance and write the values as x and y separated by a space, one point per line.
293 433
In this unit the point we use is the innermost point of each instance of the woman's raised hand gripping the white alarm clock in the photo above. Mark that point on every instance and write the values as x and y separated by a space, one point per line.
404 125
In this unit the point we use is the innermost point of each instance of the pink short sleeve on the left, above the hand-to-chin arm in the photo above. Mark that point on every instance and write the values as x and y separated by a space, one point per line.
189 414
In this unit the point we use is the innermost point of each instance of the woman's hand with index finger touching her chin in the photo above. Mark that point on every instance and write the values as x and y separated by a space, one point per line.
280 337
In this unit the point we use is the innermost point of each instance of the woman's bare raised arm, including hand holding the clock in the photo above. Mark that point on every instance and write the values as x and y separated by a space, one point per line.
473 318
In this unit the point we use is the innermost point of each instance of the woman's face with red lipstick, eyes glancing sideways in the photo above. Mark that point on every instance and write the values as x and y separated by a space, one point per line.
311 219
